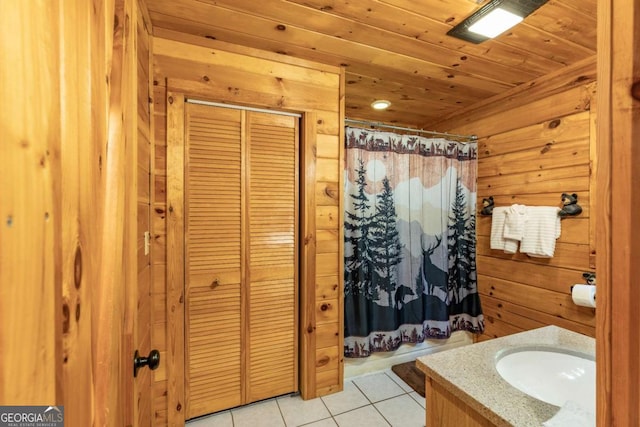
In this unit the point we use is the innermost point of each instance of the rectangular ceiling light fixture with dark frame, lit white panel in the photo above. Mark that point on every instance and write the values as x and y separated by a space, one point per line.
493 19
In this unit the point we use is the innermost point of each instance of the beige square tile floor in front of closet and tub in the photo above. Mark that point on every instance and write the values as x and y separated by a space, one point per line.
379 399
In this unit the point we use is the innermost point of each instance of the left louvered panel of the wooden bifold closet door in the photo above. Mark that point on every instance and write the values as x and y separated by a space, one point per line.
213 258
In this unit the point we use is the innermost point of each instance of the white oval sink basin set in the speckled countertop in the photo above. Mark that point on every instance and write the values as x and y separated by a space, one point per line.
551 375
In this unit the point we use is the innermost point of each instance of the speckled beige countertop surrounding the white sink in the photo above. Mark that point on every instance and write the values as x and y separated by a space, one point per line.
469 373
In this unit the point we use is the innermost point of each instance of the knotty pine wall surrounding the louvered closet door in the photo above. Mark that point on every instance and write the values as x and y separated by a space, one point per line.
214 71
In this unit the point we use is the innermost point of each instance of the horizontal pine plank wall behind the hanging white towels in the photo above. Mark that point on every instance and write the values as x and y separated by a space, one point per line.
535 144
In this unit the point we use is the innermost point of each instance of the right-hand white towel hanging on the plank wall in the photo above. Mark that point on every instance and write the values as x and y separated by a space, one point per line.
542 228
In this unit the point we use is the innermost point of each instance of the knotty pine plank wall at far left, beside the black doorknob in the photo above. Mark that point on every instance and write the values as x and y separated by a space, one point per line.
68 140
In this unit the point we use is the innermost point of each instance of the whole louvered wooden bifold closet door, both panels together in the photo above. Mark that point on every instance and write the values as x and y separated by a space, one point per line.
241 221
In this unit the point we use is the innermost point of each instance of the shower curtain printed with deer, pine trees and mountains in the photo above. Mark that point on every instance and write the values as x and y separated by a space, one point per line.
409 229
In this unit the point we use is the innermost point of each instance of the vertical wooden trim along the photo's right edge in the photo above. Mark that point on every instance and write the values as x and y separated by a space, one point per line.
618 347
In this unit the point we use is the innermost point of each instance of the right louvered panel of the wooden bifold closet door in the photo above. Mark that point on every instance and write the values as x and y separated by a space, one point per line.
272 255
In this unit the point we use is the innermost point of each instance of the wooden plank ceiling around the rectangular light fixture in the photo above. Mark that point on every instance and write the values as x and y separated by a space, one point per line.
395 49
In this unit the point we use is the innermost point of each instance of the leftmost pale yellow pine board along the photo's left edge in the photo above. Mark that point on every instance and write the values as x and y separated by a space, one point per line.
30 243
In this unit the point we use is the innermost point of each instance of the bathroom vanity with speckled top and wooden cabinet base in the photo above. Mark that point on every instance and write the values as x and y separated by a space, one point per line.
464 388
